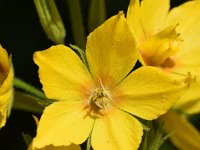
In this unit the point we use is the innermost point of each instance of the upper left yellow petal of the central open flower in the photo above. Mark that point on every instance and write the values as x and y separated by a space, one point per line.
62 73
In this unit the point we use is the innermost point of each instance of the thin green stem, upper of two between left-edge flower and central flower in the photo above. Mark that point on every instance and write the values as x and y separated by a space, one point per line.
28 88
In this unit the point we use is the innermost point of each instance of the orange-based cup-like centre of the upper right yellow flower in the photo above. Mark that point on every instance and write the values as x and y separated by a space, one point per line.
157 50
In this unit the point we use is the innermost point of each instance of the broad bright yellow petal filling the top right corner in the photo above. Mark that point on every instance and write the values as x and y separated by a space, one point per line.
187 16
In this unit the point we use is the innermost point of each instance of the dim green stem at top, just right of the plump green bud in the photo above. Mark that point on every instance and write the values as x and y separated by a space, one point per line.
77 22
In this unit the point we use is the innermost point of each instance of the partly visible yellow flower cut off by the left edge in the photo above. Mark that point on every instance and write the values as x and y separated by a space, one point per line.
6 90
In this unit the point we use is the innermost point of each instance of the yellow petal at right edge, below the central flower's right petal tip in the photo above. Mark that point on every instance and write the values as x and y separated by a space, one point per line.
190 101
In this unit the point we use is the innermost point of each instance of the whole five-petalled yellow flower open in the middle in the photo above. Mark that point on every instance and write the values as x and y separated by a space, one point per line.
100 102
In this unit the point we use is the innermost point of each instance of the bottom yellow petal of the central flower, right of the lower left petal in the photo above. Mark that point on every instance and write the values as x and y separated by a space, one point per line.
117 131
